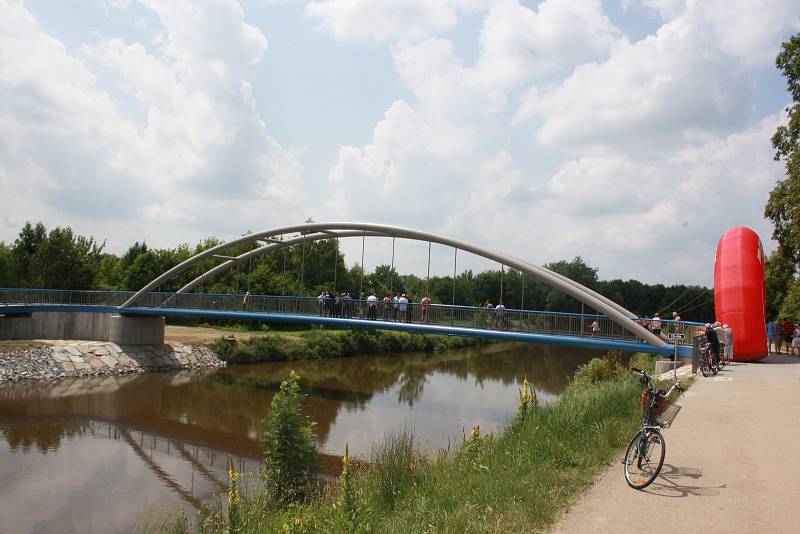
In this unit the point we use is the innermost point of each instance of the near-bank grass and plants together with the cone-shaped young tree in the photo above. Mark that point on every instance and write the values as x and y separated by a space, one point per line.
520 479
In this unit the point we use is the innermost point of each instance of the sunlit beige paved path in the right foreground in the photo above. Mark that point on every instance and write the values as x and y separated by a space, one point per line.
738 471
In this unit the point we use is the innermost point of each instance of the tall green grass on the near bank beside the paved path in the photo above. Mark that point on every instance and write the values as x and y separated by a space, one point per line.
519 480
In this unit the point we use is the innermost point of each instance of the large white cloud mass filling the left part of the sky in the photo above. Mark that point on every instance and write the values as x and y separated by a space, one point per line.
200 148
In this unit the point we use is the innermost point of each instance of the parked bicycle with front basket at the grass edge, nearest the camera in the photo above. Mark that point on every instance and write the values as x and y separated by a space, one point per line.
645 454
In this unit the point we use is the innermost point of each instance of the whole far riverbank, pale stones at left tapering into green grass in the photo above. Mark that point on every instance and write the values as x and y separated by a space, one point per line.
190 348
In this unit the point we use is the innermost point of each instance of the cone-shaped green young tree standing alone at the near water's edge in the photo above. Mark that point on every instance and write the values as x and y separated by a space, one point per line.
292 460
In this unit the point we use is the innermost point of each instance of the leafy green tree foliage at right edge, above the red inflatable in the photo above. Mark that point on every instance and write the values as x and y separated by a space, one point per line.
783 206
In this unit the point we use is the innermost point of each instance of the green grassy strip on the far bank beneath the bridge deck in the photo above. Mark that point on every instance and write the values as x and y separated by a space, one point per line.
319 344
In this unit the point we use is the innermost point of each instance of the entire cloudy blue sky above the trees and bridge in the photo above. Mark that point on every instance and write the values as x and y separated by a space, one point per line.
632 133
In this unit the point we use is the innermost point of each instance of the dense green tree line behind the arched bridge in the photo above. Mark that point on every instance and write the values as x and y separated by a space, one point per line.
61 259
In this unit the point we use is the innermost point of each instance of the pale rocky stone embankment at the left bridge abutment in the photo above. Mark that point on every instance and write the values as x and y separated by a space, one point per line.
53 360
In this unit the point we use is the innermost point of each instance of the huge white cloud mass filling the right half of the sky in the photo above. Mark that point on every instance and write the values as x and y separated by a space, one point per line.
665 155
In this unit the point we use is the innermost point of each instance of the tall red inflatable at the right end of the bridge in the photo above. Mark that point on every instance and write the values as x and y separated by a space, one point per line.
740 292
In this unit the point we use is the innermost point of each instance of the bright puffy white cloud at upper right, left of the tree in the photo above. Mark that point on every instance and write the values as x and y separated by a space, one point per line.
657 91
